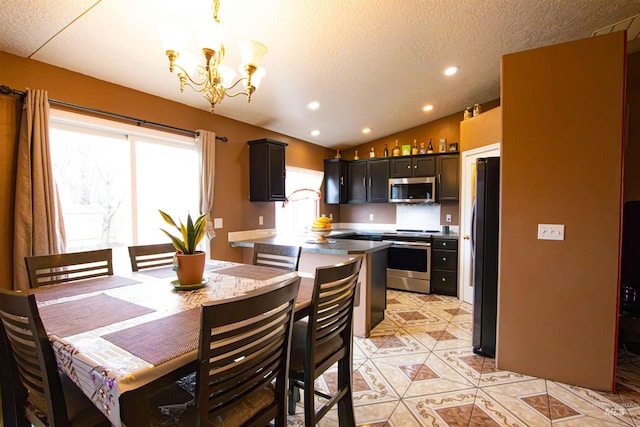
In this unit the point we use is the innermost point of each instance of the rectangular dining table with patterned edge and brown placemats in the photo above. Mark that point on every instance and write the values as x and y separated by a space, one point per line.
120 337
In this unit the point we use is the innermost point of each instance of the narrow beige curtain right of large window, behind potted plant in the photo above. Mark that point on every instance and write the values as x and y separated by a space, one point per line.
206 148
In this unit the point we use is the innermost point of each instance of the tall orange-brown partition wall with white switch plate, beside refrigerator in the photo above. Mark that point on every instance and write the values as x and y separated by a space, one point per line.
562 109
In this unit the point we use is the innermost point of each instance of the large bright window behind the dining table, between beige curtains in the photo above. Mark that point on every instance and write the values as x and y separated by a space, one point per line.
112 179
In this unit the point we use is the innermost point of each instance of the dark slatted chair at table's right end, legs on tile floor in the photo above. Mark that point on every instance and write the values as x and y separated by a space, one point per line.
323 339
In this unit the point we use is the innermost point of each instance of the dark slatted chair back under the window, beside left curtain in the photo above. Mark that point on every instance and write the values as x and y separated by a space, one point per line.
62 268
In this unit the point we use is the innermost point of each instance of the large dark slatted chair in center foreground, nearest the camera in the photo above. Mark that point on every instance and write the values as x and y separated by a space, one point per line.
243 359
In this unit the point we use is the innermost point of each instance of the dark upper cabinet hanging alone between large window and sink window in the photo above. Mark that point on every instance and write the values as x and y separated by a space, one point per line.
267 170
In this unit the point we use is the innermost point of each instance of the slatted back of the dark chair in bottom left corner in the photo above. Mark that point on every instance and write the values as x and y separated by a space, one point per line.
32 355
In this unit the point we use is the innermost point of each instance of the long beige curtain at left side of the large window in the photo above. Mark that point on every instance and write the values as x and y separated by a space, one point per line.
38 227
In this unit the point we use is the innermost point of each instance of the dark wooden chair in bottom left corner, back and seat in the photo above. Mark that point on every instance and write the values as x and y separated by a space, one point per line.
36 393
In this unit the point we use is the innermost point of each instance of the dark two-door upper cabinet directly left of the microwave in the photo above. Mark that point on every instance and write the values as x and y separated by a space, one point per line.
368 181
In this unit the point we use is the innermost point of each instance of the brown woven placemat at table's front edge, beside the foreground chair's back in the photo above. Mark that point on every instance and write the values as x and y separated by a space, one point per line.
162 339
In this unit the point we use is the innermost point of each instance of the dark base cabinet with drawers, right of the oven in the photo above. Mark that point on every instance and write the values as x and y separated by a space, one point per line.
444 267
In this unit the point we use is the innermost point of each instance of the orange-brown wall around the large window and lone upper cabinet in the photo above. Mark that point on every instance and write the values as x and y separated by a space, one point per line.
232 159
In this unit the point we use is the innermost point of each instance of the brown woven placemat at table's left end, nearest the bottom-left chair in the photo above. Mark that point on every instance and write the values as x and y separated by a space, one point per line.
82 315
